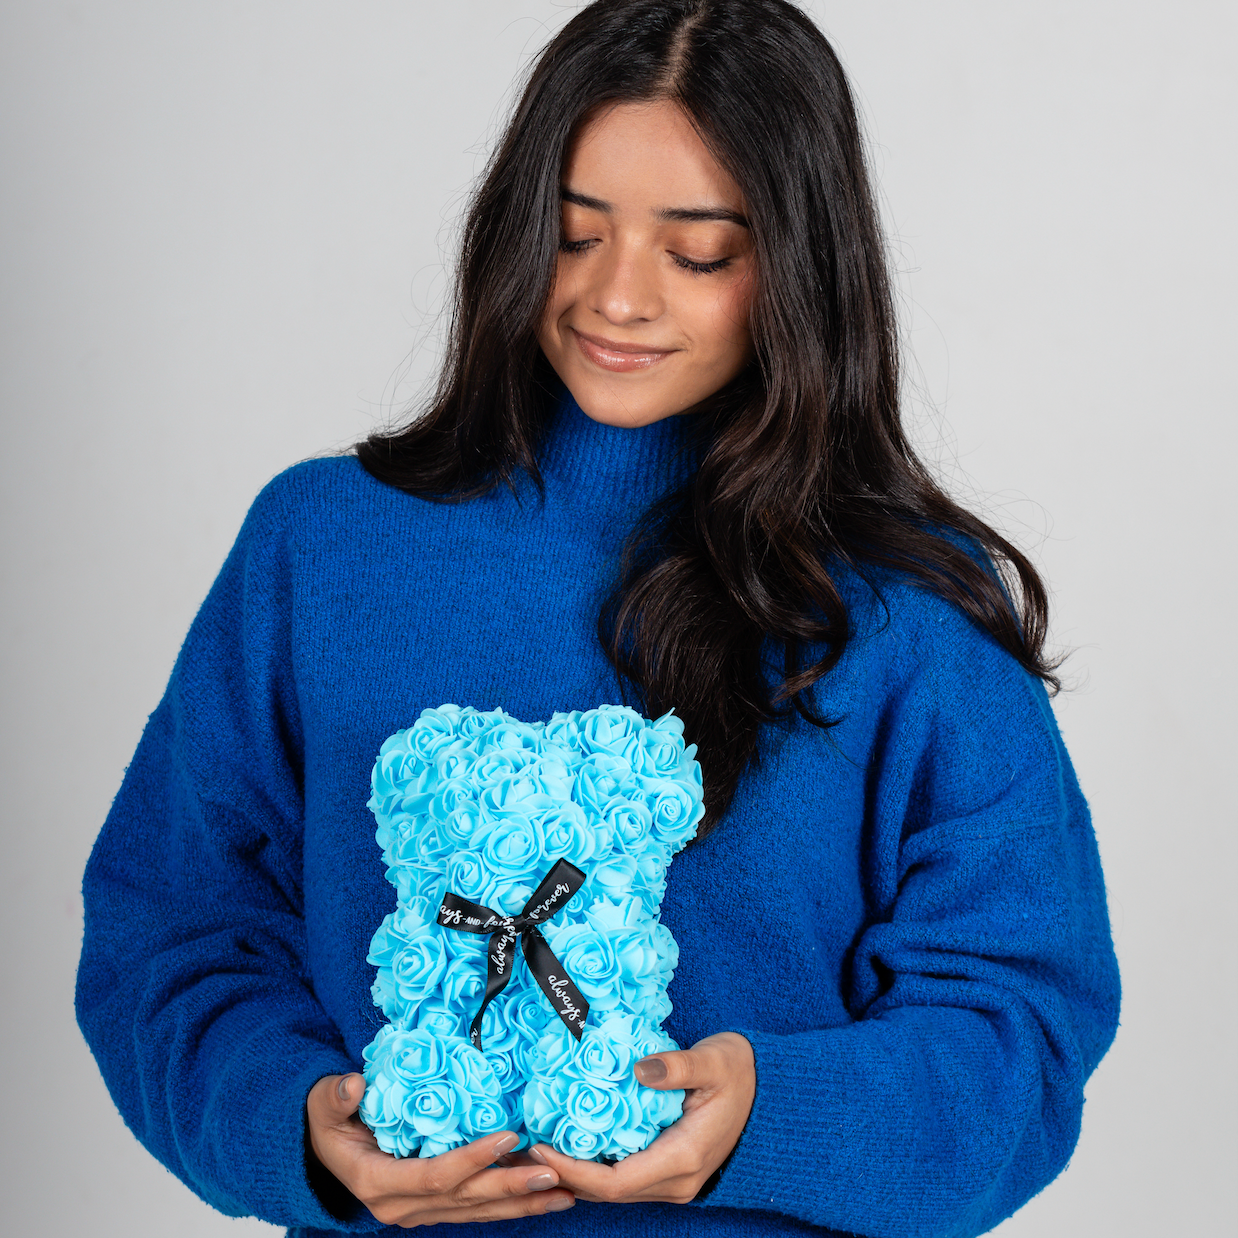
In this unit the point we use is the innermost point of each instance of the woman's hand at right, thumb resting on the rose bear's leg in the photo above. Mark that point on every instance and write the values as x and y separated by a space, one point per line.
720 1078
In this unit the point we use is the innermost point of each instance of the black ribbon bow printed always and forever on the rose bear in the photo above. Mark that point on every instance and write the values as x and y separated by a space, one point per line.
556 888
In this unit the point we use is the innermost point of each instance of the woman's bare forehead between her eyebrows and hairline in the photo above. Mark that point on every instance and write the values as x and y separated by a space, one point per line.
644 158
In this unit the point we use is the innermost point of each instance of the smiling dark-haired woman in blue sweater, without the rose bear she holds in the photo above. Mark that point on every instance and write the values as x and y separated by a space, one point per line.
664 465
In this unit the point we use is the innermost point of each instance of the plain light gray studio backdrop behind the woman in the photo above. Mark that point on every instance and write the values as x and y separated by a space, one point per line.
225 231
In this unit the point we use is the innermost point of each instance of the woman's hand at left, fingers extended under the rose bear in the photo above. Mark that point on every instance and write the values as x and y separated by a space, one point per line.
457 1187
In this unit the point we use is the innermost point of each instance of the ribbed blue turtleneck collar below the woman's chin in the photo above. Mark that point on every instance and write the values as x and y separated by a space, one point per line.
615 466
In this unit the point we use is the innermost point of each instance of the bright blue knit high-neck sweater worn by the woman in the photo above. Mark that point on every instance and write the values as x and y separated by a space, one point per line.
906 917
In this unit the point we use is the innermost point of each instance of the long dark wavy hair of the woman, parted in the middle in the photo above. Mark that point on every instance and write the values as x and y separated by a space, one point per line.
808 464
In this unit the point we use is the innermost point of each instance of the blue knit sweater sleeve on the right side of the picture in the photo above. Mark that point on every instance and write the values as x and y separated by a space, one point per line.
984 987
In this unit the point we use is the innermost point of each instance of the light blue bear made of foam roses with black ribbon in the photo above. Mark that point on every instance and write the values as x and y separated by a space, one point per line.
524 971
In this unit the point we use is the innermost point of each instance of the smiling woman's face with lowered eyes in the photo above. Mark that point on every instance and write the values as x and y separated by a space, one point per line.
649 310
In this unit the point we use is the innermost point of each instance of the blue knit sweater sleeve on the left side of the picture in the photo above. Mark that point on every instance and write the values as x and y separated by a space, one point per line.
194 989
